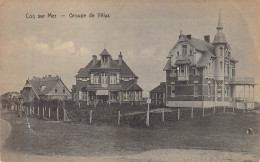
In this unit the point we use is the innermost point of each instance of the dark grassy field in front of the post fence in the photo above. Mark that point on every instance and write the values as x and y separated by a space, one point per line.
225 132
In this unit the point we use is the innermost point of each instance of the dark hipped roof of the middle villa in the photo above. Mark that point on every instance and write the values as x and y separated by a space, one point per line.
125 71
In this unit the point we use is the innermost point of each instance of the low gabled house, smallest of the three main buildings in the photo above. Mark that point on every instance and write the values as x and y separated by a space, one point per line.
46 88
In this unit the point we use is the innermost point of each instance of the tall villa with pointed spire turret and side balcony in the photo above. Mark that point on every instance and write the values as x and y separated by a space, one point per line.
201 73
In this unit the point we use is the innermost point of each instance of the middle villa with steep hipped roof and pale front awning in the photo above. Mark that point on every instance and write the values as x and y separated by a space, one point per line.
106 81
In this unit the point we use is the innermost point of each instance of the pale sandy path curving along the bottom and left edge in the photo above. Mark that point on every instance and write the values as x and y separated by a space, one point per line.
154 155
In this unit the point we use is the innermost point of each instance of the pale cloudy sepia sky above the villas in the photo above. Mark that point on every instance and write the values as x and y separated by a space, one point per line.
144 31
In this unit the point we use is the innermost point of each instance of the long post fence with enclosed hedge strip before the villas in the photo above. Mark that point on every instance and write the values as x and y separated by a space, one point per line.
139 118
